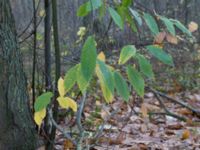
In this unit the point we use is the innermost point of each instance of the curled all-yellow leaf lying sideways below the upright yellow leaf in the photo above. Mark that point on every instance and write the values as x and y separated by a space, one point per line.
66 102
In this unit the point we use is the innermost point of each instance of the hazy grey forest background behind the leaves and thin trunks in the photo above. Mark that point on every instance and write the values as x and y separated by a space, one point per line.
68 24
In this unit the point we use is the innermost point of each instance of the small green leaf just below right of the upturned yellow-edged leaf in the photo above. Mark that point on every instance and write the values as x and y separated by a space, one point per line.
145 66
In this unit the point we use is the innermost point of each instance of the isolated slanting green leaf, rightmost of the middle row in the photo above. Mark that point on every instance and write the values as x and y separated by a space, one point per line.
160 54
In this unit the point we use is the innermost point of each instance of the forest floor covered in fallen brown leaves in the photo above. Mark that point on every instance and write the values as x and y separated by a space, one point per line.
140 124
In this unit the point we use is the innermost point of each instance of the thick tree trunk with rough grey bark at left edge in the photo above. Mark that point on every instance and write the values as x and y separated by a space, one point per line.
17 131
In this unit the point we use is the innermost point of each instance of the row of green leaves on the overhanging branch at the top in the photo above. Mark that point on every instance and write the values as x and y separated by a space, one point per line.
124 13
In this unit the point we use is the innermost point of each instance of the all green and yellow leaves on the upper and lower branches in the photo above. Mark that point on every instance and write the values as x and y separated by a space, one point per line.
92 64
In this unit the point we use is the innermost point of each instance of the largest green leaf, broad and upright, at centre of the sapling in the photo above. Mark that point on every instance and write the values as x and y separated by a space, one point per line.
88 58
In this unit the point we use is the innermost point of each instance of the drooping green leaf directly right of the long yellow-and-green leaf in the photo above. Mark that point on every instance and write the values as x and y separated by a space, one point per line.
121 86
